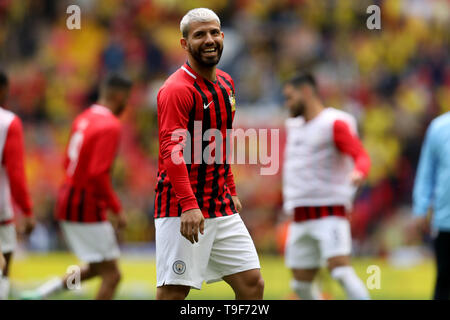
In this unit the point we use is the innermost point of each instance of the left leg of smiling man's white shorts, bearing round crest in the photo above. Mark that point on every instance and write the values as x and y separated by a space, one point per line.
178 261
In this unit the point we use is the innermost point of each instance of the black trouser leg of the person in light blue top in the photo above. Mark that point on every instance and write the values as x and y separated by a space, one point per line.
442 252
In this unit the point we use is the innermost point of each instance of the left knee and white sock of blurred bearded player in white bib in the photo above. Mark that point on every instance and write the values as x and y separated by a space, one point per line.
303 284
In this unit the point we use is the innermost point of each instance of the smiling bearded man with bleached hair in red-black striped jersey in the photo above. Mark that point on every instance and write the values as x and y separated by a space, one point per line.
200 196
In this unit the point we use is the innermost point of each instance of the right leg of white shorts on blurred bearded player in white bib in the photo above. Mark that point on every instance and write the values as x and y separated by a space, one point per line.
334 238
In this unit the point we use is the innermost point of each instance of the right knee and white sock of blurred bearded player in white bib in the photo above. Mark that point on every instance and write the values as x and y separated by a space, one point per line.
342 271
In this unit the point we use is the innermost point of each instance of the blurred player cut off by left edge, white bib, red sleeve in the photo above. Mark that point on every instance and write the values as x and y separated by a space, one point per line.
13 186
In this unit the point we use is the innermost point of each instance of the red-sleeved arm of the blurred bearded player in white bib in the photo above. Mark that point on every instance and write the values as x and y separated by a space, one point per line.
348 143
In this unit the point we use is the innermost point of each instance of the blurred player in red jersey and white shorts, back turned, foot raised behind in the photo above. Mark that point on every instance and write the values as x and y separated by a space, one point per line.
87 194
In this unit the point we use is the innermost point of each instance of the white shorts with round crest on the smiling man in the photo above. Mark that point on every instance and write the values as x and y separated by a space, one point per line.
225 248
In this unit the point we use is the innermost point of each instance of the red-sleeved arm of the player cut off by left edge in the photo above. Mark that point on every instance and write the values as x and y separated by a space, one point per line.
13 160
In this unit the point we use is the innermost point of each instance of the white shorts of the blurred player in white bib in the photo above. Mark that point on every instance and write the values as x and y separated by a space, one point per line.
310 243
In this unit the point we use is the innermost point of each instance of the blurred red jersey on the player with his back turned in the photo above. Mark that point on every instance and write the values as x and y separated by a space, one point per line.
87 192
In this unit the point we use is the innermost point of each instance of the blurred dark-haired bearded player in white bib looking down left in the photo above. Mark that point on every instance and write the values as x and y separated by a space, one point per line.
324 163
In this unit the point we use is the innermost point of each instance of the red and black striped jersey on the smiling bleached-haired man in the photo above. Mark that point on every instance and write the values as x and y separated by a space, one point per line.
191 104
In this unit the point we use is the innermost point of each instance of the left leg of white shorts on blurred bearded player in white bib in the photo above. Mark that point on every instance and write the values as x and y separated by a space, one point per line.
302 251
